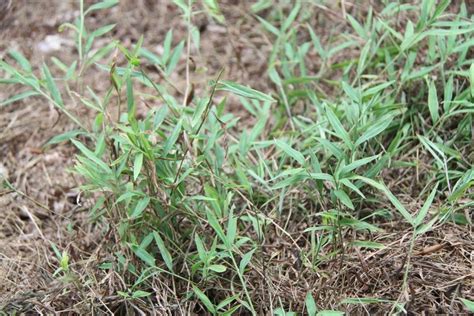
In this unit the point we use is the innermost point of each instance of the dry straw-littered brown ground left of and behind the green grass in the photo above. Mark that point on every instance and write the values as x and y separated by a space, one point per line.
46 209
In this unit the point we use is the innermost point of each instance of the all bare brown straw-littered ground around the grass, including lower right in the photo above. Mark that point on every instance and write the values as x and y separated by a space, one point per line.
45 208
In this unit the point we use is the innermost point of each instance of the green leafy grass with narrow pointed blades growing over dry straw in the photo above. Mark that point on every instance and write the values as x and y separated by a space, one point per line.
191 202
